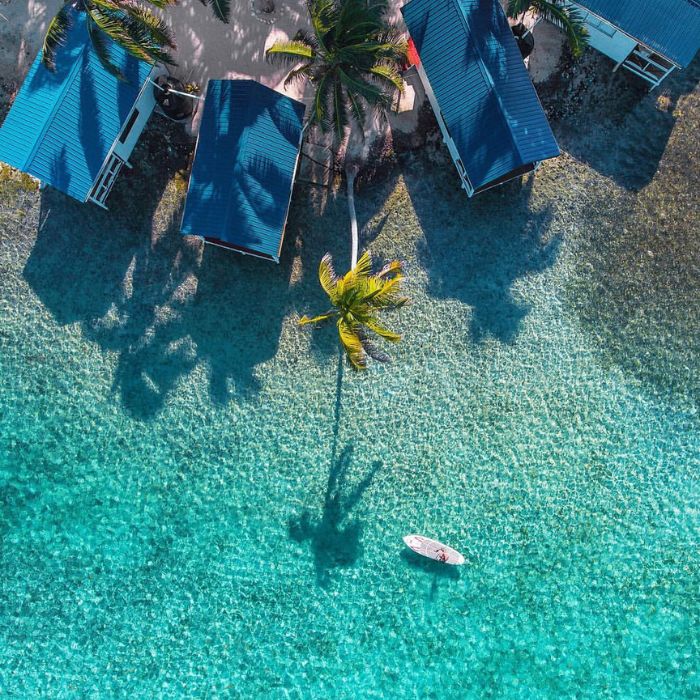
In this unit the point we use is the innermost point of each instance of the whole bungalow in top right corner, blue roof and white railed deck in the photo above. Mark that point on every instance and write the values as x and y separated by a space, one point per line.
649 38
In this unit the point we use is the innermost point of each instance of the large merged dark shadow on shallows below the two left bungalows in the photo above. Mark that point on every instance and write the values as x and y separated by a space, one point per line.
162 303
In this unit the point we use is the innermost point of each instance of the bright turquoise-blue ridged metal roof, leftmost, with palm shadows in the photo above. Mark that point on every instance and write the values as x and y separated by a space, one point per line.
62 124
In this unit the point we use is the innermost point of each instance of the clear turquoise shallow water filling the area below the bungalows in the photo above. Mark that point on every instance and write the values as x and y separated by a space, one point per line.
197 501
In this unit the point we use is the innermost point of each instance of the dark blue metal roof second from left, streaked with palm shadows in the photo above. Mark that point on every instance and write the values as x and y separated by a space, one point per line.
243 170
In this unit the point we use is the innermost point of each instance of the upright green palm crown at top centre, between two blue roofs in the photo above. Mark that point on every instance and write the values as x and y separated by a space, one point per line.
352 58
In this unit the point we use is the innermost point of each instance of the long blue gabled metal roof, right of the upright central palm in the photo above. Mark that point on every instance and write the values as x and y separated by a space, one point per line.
478 76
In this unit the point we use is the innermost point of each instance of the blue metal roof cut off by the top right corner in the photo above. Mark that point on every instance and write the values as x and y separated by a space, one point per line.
671 27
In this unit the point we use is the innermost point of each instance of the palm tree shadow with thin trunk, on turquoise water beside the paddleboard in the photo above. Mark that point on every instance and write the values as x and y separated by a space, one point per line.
335 537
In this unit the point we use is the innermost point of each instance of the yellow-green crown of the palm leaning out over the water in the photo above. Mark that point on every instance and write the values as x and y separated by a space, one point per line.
356 299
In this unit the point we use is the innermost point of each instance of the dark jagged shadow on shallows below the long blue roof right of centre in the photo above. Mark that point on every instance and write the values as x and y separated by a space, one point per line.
475 250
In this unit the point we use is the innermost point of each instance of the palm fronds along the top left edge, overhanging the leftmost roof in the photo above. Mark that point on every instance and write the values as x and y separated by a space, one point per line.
133 25
